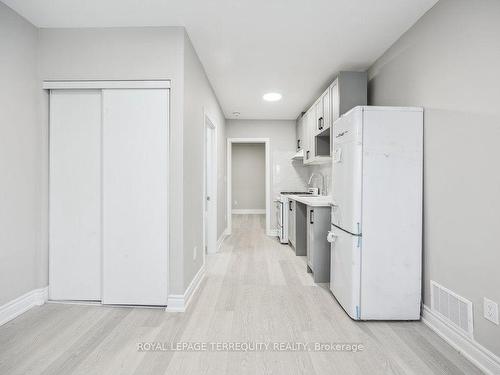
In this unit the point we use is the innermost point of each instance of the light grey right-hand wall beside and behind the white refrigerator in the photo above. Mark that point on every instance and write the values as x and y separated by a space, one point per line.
447 63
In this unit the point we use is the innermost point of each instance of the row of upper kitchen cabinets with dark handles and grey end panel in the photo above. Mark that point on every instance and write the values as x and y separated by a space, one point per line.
347 91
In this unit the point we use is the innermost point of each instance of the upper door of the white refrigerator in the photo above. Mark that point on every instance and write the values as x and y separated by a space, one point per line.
347 172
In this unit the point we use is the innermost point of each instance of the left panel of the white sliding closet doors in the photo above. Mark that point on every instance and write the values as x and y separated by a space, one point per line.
75 195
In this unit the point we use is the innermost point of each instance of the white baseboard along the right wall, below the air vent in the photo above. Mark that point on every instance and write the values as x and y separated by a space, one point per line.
487 361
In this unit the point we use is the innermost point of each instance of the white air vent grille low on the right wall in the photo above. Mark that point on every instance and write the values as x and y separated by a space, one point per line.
454 309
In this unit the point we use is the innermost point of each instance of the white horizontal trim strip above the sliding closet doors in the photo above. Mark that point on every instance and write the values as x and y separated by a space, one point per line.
71 85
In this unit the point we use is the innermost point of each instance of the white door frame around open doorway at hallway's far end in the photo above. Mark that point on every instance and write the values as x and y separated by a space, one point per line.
229 147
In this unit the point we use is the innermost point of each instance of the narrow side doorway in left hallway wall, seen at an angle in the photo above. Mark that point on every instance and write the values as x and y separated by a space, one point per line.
210 188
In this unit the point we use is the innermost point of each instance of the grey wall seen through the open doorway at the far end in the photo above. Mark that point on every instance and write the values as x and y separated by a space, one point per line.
248 175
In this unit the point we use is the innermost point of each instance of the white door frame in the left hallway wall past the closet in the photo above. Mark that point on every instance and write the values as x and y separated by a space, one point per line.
210 246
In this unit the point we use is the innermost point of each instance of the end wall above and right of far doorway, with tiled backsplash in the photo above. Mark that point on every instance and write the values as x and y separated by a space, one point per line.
285 173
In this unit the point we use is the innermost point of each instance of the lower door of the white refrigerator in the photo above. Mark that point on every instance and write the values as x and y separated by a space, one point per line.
345 270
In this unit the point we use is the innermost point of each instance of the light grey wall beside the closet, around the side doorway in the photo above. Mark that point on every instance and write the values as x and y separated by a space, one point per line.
199 98
